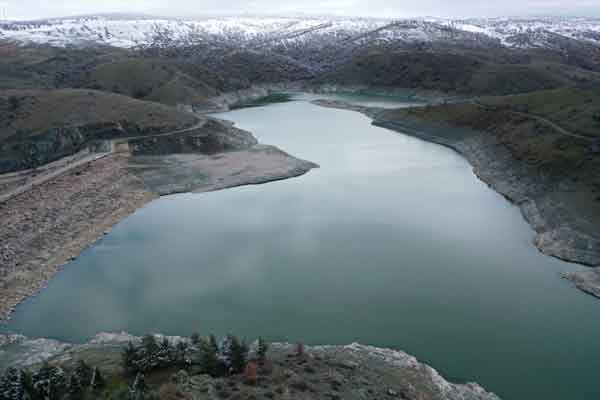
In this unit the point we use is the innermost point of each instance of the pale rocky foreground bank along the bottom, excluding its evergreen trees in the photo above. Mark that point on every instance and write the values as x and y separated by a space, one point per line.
353 371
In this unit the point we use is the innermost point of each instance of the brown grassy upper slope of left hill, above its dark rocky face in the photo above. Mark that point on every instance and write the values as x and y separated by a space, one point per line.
37 110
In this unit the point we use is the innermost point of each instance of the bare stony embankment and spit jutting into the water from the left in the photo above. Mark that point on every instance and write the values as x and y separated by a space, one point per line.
49 225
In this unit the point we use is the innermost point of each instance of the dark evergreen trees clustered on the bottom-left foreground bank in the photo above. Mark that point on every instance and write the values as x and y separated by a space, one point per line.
149 356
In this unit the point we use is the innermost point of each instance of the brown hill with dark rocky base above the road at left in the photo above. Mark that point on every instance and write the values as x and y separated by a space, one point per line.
40 126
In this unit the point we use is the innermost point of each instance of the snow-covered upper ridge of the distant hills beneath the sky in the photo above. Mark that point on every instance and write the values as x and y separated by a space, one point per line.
140 31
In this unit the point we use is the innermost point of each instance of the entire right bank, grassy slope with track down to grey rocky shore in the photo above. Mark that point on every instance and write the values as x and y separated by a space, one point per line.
549 171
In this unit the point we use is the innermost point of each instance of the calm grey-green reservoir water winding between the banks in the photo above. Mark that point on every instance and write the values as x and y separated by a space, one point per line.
392 242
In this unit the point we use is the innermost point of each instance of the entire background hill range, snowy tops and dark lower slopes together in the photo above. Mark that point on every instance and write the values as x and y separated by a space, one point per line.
188 61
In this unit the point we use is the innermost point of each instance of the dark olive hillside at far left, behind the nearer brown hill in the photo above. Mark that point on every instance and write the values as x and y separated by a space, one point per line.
164 80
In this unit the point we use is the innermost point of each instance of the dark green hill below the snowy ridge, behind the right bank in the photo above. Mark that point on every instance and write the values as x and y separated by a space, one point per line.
458 72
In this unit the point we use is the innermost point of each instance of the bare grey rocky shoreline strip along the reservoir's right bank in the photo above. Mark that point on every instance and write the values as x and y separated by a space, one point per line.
557 233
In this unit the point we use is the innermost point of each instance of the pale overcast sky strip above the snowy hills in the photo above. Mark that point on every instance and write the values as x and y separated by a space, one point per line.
31 9
